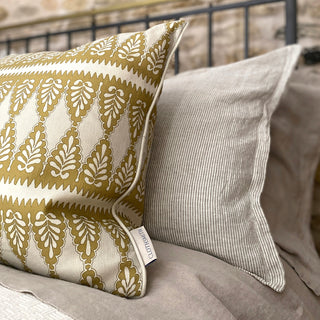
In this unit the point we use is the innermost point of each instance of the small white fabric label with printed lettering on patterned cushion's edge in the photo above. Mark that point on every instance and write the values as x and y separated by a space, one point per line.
144 244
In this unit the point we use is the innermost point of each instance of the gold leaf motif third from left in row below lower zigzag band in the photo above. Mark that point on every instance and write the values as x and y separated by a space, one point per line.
86 235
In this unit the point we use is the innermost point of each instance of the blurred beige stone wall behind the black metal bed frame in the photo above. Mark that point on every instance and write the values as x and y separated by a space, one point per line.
266 26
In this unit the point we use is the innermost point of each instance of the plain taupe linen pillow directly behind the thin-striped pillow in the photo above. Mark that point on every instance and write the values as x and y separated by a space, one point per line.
287 194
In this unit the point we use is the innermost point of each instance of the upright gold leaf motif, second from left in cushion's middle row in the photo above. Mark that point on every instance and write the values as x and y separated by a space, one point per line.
32 152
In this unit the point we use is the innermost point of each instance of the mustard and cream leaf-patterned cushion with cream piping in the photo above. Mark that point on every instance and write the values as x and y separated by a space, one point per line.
76 128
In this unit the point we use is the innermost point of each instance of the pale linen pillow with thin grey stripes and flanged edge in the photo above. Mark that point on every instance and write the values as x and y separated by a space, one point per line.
207 166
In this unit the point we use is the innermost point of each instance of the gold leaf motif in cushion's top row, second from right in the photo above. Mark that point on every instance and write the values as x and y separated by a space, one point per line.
132 48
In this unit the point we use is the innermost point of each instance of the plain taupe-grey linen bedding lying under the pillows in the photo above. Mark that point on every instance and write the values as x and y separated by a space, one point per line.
182 284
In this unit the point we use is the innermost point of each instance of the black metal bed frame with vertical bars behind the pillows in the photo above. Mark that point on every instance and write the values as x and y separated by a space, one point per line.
290 11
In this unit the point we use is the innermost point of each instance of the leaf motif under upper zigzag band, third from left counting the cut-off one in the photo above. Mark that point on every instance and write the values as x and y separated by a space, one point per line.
49 93
